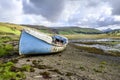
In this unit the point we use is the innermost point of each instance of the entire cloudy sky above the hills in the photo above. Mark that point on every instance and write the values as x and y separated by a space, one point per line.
55 13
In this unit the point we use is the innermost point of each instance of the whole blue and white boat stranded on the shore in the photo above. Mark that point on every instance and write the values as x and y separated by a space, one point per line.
35 42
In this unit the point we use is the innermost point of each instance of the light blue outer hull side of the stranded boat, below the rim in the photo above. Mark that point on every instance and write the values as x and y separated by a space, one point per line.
29 44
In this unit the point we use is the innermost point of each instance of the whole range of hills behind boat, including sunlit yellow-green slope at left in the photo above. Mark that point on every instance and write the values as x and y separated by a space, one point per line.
8 28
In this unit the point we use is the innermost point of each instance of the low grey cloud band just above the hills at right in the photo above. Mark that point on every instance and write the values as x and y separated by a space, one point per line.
94 23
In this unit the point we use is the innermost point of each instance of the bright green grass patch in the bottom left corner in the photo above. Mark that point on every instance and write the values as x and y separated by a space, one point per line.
7 72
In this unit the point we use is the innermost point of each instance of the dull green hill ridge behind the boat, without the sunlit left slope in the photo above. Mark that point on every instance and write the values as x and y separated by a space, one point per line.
65 30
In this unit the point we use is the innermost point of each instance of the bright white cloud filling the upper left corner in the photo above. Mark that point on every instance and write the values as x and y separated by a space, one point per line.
10 11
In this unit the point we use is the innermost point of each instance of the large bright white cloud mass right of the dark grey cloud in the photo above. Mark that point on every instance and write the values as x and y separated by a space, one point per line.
90 13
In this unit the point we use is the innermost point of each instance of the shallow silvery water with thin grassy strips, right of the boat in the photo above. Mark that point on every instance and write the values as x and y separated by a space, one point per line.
114 44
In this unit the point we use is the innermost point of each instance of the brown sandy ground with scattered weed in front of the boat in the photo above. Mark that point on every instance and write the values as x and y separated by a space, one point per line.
72 64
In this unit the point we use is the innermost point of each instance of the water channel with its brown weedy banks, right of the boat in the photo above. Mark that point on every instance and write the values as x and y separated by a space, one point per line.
107 46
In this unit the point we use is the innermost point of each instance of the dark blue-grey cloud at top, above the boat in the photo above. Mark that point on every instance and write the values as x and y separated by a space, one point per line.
50 9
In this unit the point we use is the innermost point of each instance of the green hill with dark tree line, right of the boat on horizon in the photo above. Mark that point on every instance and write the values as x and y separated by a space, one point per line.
75 30
